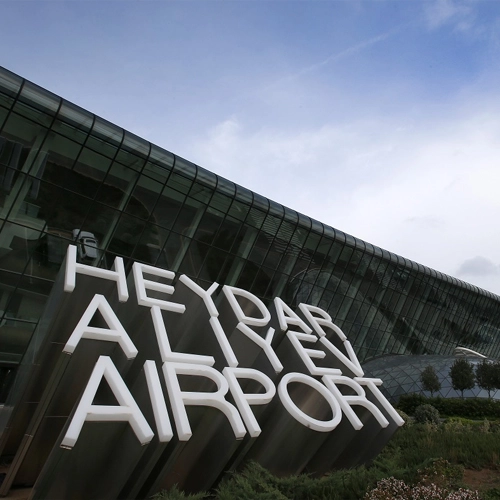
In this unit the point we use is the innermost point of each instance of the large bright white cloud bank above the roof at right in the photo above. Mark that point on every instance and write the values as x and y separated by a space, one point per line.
426 190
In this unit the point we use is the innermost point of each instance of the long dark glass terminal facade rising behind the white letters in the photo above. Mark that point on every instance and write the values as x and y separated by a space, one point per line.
68 176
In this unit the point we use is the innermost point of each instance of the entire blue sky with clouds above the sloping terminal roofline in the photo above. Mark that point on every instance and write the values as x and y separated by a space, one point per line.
380 118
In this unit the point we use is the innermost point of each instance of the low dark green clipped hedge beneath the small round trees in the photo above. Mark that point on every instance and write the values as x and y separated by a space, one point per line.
476 408
